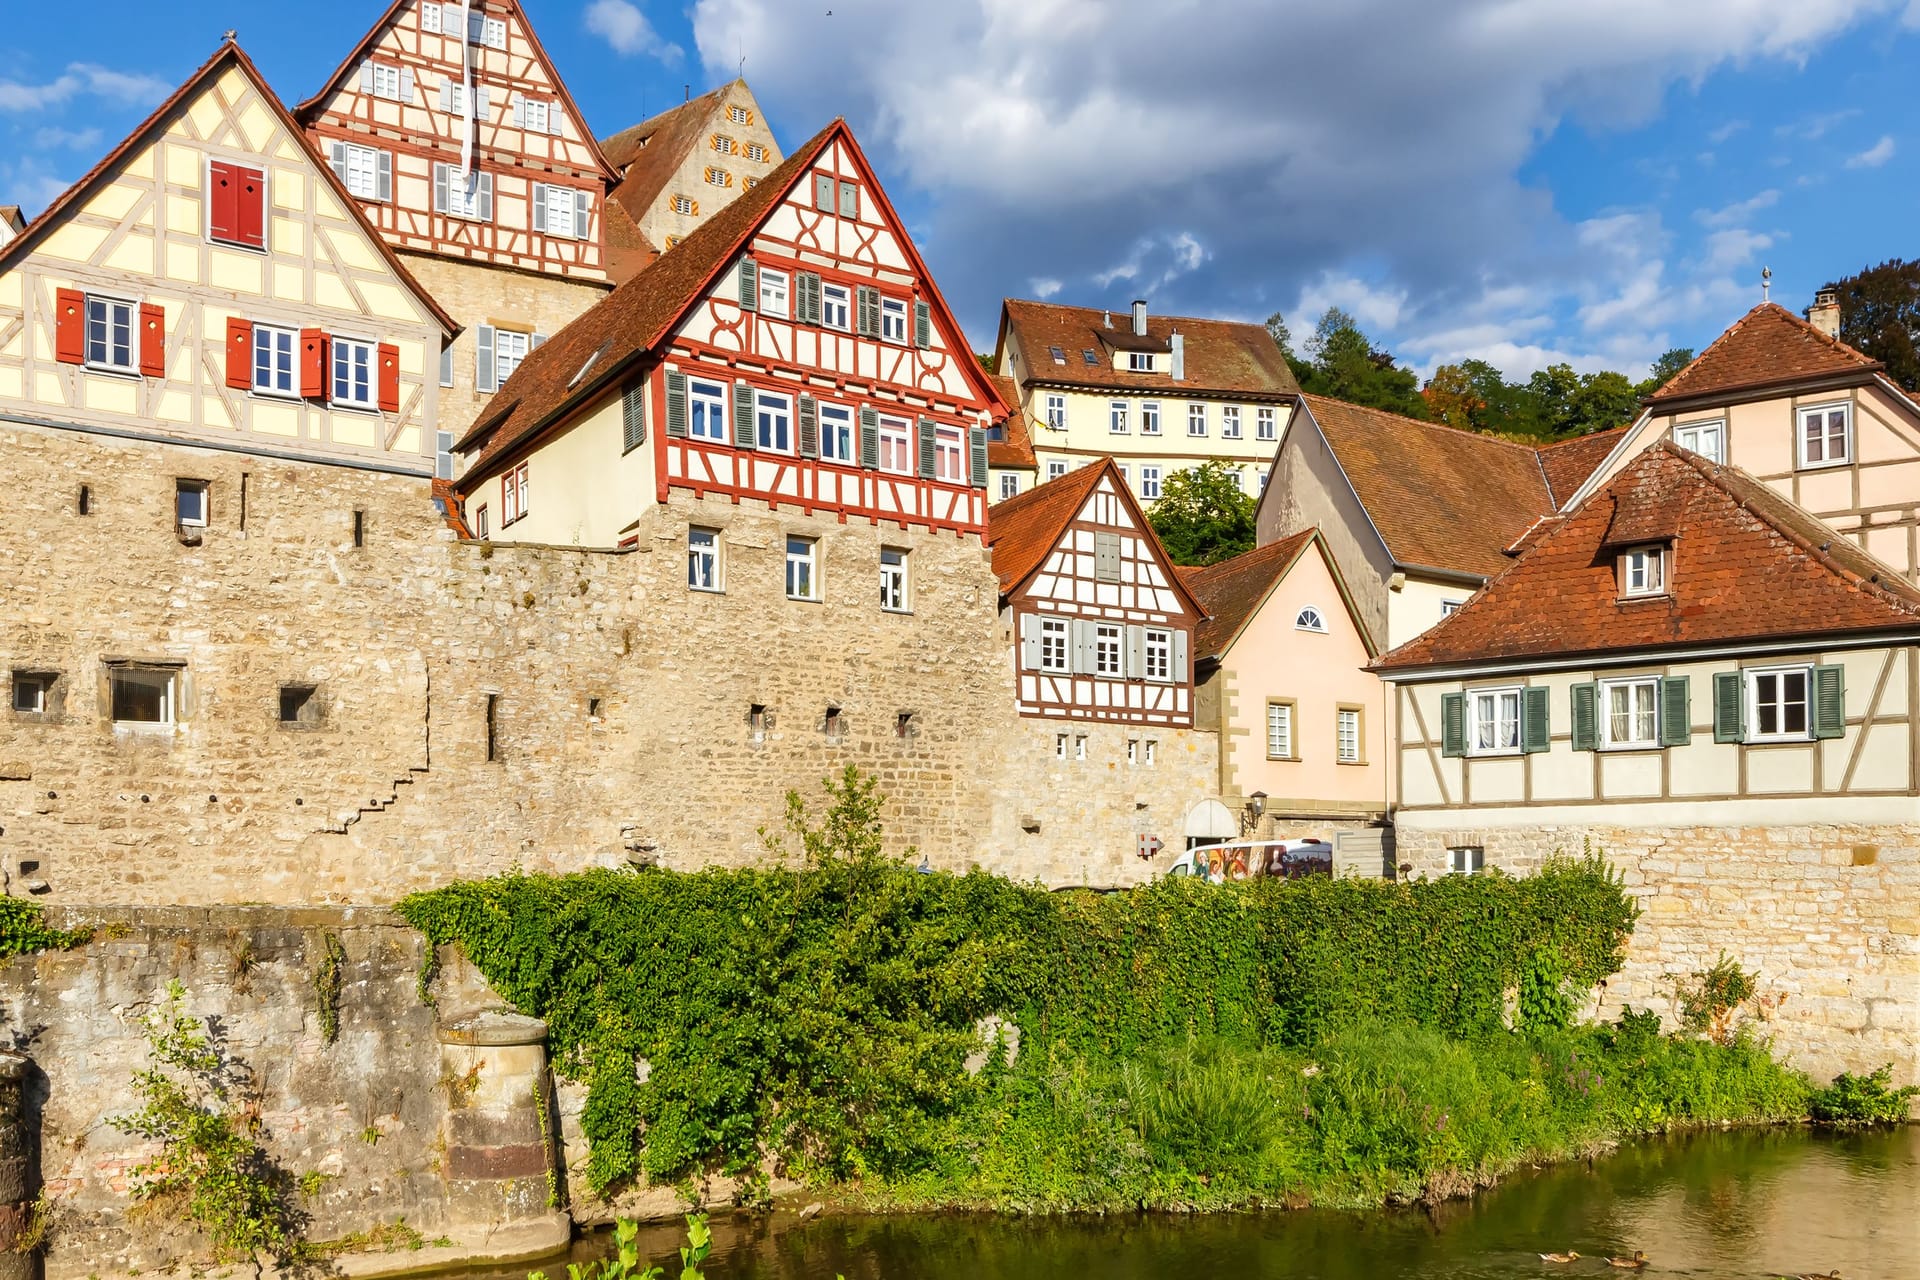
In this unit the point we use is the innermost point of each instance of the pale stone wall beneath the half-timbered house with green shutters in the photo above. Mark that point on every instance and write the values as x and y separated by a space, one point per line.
1829 916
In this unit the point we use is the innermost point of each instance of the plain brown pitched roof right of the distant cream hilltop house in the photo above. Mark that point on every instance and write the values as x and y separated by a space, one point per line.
1439 496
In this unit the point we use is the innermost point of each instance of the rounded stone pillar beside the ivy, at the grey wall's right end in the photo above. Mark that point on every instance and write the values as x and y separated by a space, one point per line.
500 1166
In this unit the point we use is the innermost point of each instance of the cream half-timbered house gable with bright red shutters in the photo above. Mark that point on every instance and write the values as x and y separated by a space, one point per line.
212 283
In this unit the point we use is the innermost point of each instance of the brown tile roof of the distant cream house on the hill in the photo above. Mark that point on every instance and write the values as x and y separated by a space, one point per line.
1222 356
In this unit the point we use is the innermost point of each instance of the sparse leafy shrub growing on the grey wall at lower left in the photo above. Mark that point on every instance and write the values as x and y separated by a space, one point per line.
210 1164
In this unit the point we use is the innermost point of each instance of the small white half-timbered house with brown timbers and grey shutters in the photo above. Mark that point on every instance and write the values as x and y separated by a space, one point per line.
1103 627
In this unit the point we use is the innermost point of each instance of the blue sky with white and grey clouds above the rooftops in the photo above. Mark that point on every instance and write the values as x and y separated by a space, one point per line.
1522 181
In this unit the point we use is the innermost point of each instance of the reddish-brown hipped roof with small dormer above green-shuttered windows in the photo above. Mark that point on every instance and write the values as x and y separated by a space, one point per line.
1746 567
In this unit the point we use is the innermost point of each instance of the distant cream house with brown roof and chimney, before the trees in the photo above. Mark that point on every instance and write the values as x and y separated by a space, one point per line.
1157 394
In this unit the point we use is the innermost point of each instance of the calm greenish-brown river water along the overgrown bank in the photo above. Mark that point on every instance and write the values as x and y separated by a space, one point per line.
1714 1206
